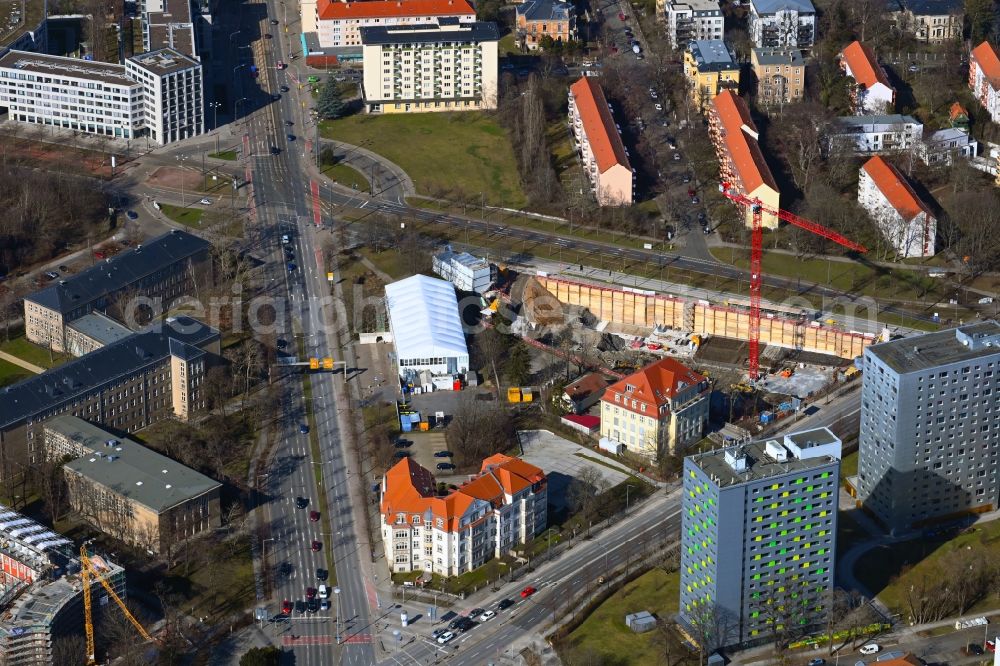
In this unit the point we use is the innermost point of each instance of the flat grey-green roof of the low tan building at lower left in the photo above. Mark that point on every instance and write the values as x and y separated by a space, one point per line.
131 469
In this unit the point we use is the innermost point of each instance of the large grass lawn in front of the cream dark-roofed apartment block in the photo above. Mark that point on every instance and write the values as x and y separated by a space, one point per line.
459 153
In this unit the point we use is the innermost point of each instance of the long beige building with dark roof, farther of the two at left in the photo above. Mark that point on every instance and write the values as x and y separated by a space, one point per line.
162 270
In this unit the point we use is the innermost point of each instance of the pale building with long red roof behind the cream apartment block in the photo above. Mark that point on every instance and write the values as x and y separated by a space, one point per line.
338 23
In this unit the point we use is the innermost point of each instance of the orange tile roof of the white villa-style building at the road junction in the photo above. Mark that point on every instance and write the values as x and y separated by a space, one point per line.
410 488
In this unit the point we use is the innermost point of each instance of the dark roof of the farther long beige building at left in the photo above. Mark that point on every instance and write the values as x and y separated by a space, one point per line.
116 272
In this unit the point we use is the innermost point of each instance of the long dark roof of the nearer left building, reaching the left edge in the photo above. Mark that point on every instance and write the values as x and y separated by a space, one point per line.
79 377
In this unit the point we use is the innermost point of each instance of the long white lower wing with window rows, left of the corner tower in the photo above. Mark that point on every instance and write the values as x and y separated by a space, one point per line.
81 95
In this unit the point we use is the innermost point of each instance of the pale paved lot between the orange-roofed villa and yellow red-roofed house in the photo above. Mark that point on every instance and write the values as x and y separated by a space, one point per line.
561 461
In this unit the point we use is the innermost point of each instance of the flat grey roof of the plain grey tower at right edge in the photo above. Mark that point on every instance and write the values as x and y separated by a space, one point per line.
931 350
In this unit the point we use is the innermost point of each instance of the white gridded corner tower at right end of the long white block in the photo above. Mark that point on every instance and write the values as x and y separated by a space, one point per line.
173 101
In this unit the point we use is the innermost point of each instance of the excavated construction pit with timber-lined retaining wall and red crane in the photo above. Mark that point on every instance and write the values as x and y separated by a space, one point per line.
616 330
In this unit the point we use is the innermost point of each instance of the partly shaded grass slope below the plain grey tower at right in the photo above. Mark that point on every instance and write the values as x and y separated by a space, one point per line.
879 568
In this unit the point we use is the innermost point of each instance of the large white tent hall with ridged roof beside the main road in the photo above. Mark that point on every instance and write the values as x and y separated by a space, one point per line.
426 327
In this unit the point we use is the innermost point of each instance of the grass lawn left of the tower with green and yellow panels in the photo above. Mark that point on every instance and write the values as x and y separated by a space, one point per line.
605 633
